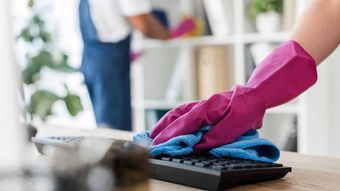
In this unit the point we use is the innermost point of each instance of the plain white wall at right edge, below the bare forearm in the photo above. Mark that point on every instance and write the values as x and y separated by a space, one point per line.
322 106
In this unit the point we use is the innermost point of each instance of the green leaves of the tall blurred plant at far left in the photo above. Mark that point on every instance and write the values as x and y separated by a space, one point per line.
42 101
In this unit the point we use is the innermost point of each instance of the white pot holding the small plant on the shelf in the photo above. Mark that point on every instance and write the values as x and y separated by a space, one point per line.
268 22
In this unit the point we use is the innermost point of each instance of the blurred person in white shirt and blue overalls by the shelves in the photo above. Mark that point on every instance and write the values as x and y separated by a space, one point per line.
106 27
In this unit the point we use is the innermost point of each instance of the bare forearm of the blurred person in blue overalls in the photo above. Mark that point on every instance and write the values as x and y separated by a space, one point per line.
150 26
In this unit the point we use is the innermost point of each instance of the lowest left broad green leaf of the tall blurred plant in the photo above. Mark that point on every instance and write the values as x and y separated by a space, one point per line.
41 103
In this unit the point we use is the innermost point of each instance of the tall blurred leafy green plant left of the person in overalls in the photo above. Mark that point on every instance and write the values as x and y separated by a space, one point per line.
43 54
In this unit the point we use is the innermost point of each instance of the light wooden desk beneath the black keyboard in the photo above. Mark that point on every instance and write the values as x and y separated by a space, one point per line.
309 172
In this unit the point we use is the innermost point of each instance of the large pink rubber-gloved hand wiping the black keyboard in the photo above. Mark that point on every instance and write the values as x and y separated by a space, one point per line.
283 75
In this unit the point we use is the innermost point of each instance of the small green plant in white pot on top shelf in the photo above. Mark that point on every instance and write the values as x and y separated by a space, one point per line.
267 14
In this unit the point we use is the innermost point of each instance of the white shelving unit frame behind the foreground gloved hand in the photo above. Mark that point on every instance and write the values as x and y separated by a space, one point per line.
237 41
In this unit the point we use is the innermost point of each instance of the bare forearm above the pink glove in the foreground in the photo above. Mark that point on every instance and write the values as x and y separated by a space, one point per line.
318 30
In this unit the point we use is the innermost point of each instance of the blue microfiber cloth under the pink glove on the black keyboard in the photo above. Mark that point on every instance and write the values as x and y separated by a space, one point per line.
248 146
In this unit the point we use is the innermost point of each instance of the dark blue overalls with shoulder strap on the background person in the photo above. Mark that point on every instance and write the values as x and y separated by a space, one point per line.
106 68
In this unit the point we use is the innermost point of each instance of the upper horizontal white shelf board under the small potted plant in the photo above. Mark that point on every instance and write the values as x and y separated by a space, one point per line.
213 40
